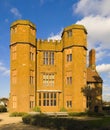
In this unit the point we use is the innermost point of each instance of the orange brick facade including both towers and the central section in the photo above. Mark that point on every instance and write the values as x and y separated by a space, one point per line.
47 74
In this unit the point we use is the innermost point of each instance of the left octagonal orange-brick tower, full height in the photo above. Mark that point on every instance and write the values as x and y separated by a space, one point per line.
22 66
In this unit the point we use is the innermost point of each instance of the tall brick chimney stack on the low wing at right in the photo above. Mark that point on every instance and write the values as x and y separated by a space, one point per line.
92 63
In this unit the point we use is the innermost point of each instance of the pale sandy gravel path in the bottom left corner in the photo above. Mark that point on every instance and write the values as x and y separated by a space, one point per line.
15 123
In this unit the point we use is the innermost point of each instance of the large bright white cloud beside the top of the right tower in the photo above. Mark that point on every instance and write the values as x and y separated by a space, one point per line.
98 31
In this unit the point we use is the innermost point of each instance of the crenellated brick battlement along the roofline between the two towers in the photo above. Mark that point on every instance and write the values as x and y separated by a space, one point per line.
46 41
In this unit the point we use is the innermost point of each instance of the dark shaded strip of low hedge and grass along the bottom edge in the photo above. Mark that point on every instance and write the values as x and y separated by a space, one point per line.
67 123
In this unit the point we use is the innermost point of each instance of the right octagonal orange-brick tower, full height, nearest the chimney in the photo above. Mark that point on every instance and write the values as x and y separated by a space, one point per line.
74 65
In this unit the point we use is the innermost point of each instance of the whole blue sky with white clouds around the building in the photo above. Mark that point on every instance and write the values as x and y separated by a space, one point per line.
50 17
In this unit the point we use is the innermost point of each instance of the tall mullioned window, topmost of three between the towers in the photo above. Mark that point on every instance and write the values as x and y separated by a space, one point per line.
48 58
